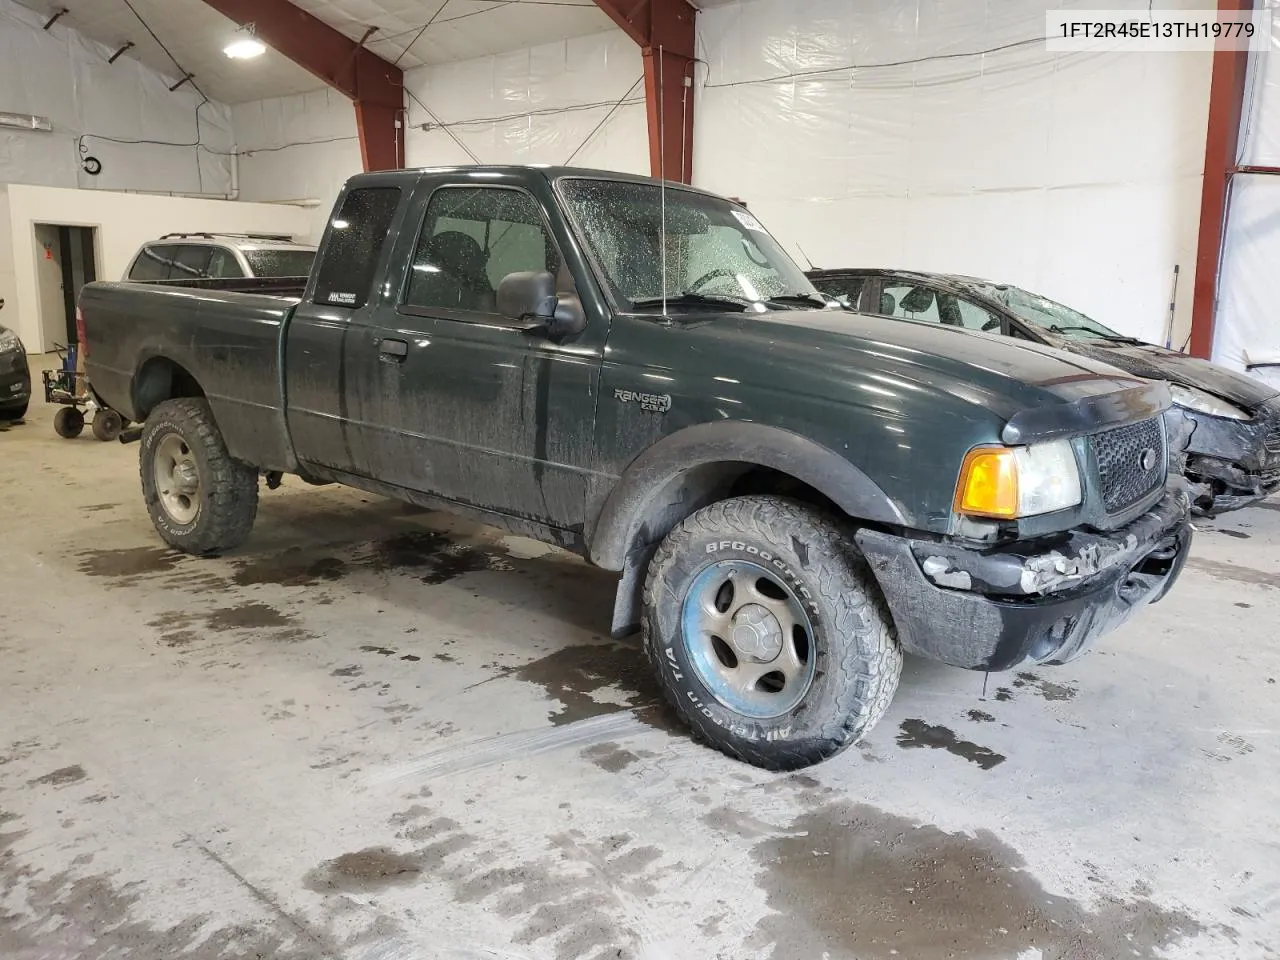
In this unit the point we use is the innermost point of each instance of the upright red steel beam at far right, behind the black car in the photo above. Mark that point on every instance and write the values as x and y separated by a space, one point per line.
1222 144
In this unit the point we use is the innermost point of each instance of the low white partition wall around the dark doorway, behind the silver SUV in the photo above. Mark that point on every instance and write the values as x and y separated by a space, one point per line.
125 222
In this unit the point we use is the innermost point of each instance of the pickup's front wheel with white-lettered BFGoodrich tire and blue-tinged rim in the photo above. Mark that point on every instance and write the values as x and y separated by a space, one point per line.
769 634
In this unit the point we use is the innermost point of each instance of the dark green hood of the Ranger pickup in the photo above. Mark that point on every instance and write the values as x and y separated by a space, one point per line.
838 351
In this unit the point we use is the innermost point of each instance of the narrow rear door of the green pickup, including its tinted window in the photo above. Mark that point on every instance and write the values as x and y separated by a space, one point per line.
318 386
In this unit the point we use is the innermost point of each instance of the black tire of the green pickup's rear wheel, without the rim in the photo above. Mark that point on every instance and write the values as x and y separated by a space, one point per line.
228 490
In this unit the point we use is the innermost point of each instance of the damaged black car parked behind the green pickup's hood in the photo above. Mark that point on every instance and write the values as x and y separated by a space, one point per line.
1233 458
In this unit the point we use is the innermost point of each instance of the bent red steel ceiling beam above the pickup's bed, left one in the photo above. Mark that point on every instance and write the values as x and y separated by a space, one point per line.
376 86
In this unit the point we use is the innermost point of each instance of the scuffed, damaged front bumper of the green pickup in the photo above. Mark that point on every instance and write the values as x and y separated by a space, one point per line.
1041 602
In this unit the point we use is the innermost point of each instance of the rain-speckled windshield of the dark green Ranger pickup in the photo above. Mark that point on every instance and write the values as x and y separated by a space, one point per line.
719 257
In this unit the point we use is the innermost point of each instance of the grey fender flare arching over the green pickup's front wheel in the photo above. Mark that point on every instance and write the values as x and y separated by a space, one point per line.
651 491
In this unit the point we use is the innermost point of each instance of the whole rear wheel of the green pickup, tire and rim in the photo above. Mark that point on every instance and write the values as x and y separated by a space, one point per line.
200 500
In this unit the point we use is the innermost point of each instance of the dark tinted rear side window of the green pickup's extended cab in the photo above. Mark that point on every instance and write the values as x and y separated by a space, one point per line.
355 245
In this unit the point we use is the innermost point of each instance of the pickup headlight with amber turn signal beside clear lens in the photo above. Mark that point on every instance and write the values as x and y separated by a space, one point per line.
1018 482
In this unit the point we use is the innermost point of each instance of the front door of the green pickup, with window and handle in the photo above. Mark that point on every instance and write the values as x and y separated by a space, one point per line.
461 403
